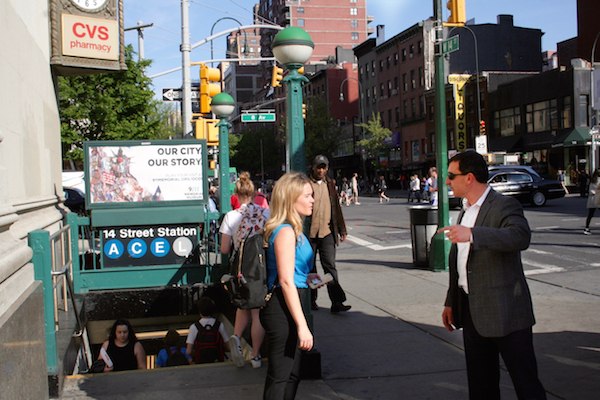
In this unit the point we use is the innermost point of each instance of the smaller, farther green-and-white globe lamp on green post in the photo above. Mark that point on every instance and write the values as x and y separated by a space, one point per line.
223 105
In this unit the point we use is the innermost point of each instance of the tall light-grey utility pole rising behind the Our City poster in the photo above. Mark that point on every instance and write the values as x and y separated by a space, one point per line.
186 101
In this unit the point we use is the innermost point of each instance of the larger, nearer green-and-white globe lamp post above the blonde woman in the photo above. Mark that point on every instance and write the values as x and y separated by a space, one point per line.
293 47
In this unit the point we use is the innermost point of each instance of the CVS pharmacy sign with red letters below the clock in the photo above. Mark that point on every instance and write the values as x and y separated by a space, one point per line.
90 37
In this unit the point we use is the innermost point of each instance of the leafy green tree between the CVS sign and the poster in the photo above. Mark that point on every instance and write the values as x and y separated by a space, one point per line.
111 106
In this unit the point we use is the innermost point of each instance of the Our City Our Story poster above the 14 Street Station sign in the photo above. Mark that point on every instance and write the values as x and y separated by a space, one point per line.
124 172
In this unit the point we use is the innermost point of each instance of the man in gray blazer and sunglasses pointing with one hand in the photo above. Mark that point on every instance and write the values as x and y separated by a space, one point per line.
488 295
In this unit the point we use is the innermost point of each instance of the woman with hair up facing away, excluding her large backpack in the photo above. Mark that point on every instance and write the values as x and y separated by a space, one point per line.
237 225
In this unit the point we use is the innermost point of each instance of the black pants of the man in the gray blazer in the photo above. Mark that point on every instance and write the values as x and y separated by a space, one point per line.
483 363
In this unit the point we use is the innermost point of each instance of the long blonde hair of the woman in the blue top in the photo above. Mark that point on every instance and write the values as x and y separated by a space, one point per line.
285 193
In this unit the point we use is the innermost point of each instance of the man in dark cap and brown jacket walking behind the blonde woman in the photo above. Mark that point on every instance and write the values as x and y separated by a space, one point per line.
326 230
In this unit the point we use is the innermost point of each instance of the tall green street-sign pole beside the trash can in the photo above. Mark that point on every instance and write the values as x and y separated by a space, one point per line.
441 245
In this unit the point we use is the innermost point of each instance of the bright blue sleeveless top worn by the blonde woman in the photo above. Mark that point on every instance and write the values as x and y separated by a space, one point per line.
303 264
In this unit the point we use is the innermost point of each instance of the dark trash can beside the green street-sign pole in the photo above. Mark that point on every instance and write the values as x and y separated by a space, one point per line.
423 225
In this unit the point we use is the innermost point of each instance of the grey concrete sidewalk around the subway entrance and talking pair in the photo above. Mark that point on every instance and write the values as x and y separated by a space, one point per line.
391 345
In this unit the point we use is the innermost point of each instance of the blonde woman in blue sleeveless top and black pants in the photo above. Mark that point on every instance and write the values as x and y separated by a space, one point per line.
289 261
